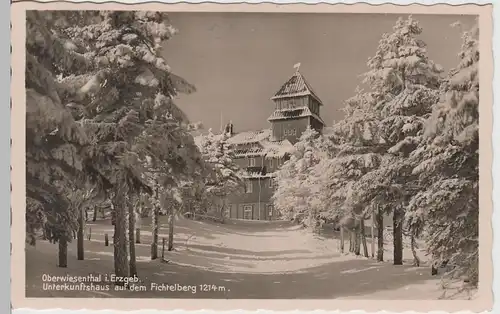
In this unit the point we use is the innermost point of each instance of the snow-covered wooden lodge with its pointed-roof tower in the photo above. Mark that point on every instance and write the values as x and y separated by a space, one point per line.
260 153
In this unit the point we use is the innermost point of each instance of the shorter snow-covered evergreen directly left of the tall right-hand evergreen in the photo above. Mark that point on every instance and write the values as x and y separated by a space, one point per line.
355 150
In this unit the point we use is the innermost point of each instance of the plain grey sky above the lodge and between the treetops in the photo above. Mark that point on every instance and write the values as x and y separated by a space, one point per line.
237 61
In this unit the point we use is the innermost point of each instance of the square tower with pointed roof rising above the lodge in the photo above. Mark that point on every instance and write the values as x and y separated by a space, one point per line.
297 106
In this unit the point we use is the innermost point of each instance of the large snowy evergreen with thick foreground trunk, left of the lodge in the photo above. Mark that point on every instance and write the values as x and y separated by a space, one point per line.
124 100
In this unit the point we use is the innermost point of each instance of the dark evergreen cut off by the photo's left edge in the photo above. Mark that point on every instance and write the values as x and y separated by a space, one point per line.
54 164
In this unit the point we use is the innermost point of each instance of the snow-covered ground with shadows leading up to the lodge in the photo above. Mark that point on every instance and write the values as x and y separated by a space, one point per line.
238 260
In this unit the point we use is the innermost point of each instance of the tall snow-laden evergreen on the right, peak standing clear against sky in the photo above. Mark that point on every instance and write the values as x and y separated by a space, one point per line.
406 83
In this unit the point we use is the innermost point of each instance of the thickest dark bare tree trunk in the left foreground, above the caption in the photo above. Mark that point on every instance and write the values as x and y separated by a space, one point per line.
120 237
